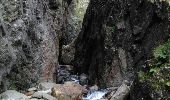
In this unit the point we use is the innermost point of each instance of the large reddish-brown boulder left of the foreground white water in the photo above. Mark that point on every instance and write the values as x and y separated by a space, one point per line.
67 91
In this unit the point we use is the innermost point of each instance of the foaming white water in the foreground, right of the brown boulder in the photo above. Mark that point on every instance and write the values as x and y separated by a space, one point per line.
95 95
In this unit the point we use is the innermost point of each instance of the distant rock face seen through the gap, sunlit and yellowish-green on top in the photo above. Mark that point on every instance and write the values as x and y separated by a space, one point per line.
73 23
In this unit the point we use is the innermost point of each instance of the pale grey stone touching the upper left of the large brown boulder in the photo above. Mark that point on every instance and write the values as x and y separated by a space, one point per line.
46 86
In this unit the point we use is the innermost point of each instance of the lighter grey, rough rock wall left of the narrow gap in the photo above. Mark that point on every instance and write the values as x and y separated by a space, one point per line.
30 32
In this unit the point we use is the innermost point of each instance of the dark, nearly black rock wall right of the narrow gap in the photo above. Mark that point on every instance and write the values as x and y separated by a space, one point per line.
117 38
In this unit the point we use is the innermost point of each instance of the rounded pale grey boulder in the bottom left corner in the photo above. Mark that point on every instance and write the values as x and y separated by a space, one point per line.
12 95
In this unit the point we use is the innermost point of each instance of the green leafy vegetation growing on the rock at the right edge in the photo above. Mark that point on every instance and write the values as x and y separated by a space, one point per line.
158 68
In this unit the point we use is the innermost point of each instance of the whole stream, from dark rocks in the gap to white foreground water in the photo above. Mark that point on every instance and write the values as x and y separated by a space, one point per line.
65 74
